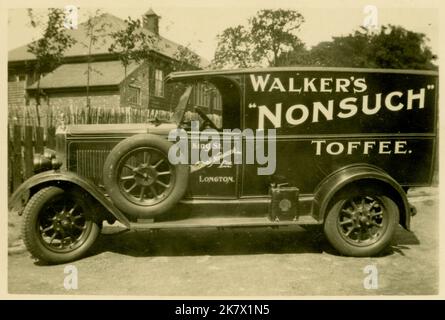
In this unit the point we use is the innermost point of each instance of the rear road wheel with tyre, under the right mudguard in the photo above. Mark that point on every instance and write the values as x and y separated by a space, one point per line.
361 223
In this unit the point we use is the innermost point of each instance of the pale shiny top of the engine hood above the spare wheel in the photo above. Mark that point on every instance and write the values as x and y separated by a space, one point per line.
116 129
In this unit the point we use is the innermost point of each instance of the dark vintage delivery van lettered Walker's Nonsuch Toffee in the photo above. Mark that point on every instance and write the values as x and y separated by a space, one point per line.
328 147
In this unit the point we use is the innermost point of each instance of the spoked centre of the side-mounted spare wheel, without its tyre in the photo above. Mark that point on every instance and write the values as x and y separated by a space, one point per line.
146 176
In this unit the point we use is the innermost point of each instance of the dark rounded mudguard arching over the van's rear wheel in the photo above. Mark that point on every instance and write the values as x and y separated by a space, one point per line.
338 179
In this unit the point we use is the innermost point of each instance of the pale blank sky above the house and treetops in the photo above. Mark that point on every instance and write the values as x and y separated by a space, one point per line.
196 23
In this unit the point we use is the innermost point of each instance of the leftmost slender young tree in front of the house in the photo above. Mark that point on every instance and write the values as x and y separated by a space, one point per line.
49 49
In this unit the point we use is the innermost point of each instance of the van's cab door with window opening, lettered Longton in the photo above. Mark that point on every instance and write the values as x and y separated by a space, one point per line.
218 178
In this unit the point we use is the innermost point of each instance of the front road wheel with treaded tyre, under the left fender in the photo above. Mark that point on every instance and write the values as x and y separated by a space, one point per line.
58 225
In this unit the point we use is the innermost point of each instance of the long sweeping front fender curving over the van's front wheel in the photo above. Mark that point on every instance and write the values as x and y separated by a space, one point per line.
62 178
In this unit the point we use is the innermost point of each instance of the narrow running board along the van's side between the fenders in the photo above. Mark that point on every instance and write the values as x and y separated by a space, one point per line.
221 223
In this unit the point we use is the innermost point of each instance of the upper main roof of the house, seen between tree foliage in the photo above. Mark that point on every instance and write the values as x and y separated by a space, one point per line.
112 24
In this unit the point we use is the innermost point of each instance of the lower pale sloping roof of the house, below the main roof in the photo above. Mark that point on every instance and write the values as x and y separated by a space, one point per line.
72 75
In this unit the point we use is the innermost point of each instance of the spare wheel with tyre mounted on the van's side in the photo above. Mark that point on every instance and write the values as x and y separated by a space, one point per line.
140 179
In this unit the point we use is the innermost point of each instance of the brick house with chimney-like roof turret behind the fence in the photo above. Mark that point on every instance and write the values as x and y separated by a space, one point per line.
141 86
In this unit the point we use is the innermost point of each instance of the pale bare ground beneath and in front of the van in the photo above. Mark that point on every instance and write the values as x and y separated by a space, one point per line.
240 262
